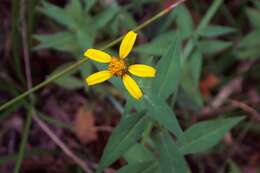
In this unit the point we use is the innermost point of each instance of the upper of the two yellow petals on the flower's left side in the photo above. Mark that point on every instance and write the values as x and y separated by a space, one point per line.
98 55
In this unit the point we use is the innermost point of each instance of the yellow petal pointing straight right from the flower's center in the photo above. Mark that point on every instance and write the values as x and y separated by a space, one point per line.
142 70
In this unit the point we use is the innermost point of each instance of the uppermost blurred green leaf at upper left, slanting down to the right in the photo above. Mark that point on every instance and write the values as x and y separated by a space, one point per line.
58 14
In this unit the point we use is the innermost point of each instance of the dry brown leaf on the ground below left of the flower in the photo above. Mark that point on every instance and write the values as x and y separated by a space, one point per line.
84 126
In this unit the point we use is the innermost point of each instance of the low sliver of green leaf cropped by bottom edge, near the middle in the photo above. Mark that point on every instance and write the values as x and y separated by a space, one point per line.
142 167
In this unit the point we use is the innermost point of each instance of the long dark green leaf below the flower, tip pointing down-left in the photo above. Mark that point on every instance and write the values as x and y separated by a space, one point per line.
124 136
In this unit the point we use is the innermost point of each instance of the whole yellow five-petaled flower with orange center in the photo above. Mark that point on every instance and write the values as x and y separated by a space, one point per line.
118 67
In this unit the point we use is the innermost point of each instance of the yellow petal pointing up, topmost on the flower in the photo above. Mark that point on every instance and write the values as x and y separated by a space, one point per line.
127 44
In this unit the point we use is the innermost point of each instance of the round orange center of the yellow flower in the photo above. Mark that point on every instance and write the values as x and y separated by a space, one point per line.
117 67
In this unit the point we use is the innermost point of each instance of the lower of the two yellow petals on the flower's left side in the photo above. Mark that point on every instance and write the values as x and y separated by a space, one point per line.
98 77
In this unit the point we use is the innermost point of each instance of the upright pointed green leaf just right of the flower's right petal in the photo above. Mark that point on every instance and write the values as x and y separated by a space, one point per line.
168 74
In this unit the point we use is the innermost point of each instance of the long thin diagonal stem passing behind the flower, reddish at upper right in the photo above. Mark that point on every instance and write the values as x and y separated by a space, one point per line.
81 61
